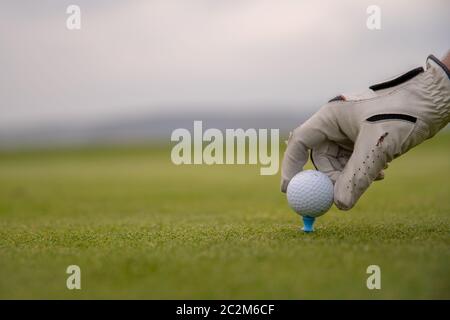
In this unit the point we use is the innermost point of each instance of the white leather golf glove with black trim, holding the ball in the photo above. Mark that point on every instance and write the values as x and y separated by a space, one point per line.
353 137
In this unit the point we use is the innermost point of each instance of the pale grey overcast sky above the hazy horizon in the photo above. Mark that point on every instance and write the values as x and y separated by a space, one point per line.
163 57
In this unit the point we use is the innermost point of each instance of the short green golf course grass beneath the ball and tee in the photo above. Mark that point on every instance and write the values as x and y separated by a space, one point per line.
140 227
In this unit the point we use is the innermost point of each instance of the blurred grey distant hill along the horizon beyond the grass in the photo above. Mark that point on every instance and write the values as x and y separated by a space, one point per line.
138 129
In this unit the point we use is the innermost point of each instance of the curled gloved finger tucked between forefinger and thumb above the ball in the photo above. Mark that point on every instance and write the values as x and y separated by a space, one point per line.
330 158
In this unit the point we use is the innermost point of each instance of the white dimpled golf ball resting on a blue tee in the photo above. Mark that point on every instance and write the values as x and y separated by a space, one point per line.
310 193
